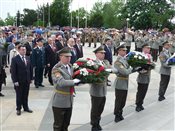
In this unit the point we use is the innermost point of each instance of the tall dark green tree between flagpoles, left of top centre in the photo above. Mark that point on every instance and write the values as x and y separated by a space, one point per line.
60 12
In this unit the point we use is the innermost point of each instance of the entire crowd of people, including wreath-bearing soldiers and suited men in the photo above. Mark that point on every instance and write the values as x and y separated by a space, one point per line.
41 53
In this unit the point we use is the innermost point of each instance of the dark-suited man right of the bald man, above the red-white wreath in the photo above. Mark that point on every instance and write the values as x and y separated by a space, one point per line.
79 49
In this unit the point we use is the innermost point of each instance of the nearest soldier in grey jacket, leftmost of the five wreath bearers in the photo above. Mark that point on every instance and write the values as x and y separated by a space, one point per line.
64 88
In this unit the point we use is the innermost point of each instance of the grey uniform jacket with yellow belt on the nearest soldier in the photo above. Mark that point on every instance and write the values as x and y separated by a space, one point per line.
63 83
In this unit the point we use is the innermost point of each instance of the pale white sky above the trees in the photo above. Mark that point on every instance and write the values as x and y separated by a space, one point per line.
12 6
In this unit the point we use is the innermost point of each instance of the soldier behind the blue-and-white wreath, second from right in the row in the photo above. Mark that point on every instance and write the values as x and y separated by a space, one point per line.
143 80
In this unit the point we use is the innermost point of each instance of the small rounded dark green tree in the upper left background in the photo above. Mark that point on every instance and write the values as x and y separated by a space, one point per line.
29 17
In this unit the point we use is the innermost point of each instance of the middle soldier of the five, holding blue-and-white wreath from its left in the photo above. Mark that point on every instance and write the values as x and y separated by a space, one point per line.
121 82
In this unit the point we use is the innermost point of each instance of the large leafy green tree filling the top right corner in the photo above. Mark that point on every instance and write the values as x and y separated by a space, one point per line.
144 14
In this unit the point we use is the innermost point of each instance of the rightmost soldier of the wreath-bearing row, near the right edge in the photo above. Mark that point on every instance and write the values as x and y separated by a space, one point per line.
165 70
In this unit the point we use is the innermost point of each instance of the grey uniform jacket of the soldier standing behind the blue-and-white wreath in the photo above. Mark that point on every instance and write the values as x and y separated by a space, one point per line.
144 75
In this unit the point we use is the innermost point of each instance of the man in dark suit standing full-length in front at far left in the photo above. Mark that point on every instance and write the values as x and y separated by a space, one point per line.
21 73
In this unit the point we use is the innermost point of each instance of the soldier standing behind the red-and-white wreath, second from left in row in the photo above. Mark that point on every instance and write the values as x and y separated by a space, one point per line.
98 92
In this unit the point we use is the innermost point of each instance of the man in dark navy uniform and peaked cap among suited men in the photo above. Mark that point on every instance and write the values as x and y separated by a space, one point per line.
38 61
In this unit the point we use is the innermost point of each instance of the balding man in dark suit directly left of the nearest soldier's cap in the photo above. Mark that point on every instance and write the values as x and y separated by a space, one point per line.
50 58
